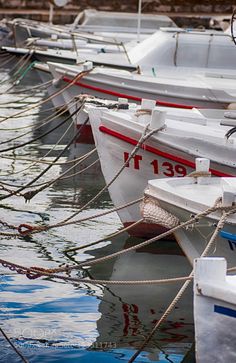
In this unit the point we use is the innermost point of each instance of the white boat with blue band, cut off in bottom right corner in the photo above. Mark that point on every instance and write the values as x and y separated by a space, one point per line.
214 311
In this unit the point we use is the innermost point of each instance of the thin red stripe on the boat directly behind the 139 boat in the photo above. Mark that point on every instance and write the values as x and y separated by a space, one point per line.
123 95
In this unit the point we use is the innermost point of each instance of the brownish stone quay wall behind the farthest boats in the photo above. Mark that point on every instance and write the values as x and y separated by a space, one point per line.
38 9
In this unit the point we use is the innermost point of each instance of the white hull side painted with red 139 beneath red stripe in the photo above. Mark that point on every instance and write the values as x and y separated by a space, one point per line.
153 160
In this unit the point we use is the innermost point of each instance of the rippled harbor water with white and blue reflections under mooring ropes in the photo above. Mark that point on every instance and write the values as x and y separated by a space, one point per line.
53 321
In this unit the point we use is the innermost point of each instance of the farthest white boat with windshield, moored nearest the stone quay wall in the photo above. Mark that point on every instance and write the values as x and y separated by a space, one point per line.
118 25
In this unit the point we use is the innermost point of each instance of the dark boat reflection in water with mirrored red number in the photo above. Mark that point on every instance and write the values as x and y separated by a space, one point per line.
128 313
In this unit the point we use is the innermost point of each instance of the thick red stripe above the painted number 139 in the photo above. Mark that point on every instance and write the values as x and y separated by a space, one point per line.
155 151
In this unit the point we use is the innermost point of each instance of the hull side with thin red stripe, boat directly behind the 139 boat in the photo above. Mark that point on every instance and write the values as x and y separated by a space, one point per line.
165 95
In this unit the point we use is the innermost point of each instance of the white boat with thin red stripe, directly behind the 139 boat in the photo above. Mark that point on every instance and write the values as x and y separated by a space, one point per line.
184 88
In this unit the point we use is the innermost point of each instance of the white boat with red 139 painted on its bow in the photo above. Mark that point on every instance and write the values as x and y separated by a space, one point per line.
170 152
